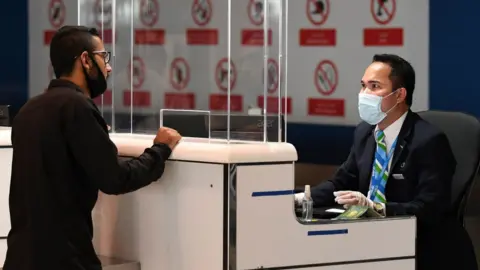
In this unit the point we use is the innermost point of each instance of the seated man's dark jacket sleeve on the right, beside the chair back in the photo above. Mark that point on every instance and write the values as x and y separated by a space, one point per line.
432 195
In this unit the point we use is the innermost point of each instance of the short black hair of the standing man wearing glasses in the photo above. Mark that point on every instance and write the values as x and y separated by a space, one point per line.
67 44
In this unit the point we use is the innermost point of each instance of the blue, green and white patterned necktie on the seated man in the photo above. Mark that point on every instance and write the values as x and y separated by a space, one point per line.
380 169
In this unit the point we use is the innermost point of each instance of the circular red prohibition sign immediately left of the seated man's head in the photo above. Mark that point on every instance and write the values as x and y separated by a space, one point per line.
324 80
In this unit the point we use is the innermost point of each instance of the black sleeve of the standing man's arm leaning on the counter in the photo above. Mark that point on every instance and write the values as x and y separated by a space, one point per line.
97 155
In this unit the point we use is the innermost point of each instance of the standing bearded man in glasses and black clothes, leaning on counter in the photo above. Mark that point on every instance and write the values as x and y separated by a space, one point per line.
62 157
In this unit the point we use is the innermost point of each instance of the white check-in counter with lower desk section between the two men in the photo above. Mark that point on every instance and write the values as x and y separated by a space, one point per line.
229 206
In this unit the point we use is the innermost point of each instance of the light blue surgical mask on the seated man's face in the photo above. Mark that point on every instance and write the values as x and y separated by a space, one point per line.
370 108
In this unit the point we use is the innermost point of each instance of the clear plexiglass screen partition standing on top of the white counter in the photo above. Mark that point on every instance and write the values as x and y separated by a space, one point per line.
220 62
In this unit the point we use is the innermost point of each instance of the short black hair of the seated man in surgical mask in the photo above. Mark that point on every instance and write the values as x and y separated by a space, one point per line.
402 74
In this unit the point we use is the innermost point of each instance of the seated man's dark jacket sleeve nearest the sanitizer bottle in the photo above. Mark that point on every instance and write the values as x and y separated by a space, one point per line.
345 178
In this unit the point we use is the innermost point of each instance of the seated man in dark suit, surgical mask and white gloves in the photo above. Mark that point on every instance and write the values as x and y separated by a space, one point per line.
400 165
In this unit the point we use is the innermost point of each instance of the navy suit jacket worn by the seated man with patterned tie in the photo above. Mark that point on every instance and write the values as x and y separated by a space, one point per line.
422 155
